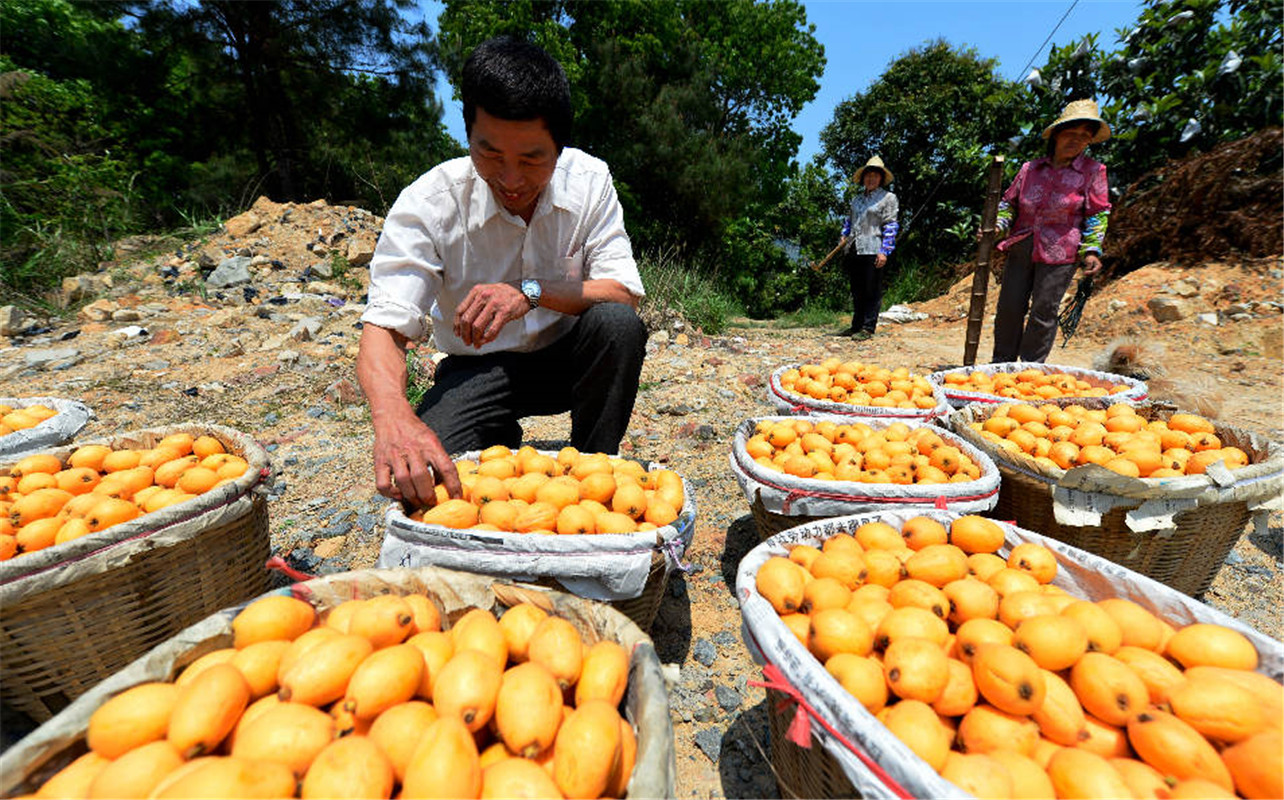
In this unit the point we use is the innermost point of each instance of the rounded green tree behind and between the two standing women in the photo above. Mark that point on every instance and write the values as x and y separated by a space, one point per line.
934 116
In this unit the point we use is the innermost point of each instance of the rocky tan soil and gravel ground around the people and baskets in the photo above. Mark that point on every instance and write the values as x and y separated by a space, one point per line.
257 328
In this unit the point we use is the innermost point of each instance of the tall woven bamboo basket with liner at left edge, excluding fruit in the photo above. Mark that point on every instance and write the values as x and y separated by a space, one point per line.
74 614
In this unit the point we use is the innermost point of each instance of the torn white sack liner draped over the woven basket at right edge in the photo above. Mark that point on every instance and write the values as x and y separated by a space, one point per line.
1083 495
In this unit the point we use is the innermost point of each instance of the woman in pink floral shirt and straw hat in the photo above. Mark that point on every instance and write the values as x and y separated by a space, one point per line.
1061 204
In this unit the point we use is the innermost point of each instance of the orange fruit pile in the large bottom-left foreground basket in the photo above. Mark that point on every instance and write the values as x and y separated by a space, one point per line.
373 698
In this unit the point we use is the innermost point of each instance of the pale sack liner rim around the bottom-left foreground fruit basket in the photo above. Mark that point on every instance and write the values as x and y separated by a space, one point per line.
33 761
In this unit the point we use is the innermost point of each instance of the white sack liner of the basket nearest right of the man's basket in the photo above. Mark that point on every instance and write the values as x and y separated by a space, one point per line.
793 496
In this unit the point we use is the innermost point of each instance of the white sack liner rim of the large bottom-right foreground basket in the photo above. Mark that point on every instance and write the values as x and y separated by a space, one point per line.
878 763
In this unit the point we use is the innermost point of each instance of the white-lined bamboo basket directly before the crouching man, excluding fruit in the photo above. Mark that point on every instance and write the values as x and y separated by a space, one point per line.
542 561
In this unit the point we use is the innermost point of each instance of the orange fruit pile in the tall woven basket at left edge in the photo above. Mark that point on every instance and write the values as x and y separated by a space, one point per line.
46 501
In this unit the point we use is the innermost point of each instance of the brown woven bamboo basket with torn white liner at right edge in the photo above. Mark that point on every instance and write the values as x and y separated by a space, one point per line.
1186 555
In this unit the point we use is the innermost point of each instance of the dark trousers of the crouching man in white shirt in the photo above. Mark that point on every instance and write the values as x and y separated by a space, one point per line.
593 372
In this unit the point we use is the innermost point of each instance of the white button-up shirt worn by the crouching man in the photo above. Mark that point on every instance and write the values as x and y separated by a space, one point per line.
447 233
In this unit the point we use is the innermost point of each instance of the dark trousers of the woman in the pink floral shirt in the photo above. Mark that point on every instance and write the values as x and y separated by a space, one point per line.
1034 288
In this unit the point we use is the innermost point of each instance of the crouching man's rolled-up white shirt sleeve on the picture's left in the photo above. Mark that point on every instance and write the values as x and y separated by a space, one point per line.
405 273
